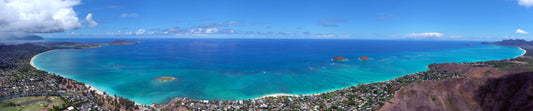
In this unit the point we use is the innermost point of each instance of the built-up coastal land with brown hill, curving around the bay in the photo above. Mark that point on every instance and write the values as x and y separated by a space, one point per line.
474 86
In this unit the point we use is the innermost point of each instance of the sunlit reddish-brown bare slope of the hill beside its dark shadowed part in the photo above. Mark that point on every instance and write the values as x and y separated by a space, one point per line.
455 94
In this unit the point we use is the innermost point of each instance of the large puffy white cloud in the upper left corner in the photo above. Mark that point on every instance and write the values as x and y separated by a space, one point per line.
24 17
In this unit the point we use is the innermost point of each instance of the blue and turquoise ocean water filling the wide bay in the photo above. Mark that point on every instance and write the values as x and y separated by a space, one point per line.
248 68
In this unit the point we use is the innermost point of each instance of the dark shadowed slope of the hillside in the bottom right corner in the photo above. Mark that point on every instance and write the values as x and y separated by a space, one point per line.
508 93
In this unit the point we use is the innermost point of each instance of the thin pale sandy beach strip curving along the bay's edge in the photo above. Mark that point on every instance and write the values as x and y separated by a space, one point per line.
256 98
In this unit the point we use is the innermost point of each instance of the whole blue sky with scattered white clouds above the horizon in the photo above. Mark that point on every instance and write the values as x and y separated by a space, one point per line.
302 19
